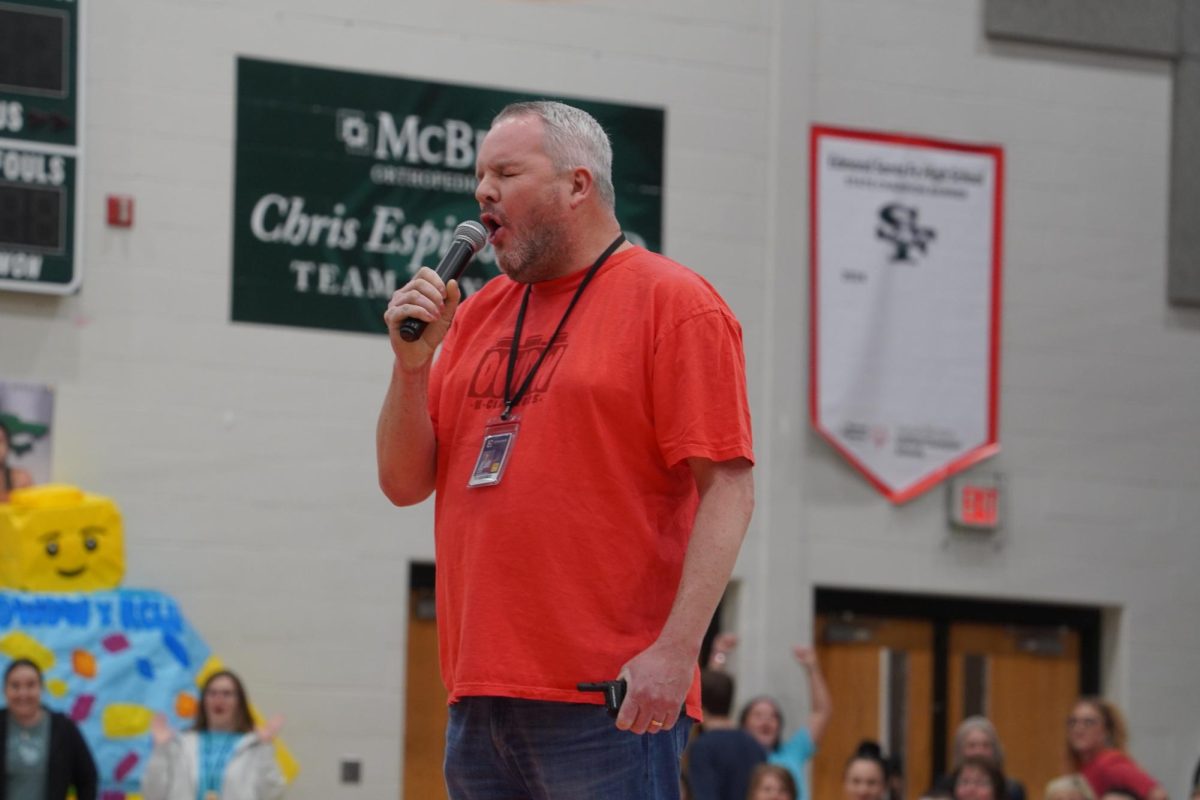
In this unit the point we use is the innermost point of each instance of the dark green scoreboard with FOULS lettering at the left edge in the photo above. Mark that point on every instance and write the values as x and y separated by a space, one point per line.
40 146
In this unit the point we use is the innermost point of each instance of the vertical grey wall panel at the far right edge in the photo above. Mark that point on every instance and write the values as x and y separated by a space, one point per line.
1184 266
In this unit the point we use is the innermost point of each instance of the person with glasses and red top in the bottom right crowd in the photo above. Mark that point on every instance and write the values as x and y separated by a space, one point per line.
1096 745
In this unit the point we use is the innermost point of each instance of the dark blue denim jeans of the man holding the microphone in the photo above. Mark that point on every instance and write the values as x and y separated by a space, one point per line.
505 749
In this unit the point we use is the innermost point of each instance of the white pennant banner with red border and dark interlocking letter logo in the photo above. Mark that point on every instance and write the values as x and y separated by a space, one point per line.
905 304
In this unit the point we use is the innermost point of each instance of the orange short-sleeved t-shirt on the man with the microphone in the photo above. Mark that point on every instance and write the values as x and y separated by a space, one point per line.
569 567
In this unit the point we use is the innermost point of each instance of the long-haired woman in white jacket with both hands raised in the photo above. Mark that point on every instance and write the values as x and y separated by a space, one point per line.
223 759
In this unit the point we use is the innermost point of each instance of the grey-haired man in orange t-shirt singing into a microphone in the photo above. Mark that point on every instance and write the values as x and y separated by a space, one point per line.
587 434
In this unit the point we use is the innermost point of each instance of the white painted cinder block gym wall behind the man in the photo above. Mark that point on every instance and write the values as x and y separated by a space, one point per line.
243 455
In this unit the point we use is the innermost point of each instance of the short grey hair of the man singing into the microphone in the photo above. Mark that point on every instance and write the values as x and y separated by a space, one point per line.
573 139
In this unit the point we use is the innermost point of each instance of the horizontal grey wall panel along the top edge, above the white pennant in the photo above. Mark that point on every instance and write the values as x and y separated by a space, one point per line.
1142 27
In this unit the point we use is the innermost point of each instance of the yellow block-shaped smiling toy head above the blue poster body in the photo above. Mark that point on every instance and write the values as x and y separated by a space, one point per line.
61 539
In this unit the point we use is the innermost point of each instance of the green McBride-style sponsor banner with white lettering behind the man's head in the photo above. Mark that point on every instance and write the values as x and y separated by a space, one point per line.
346 184
